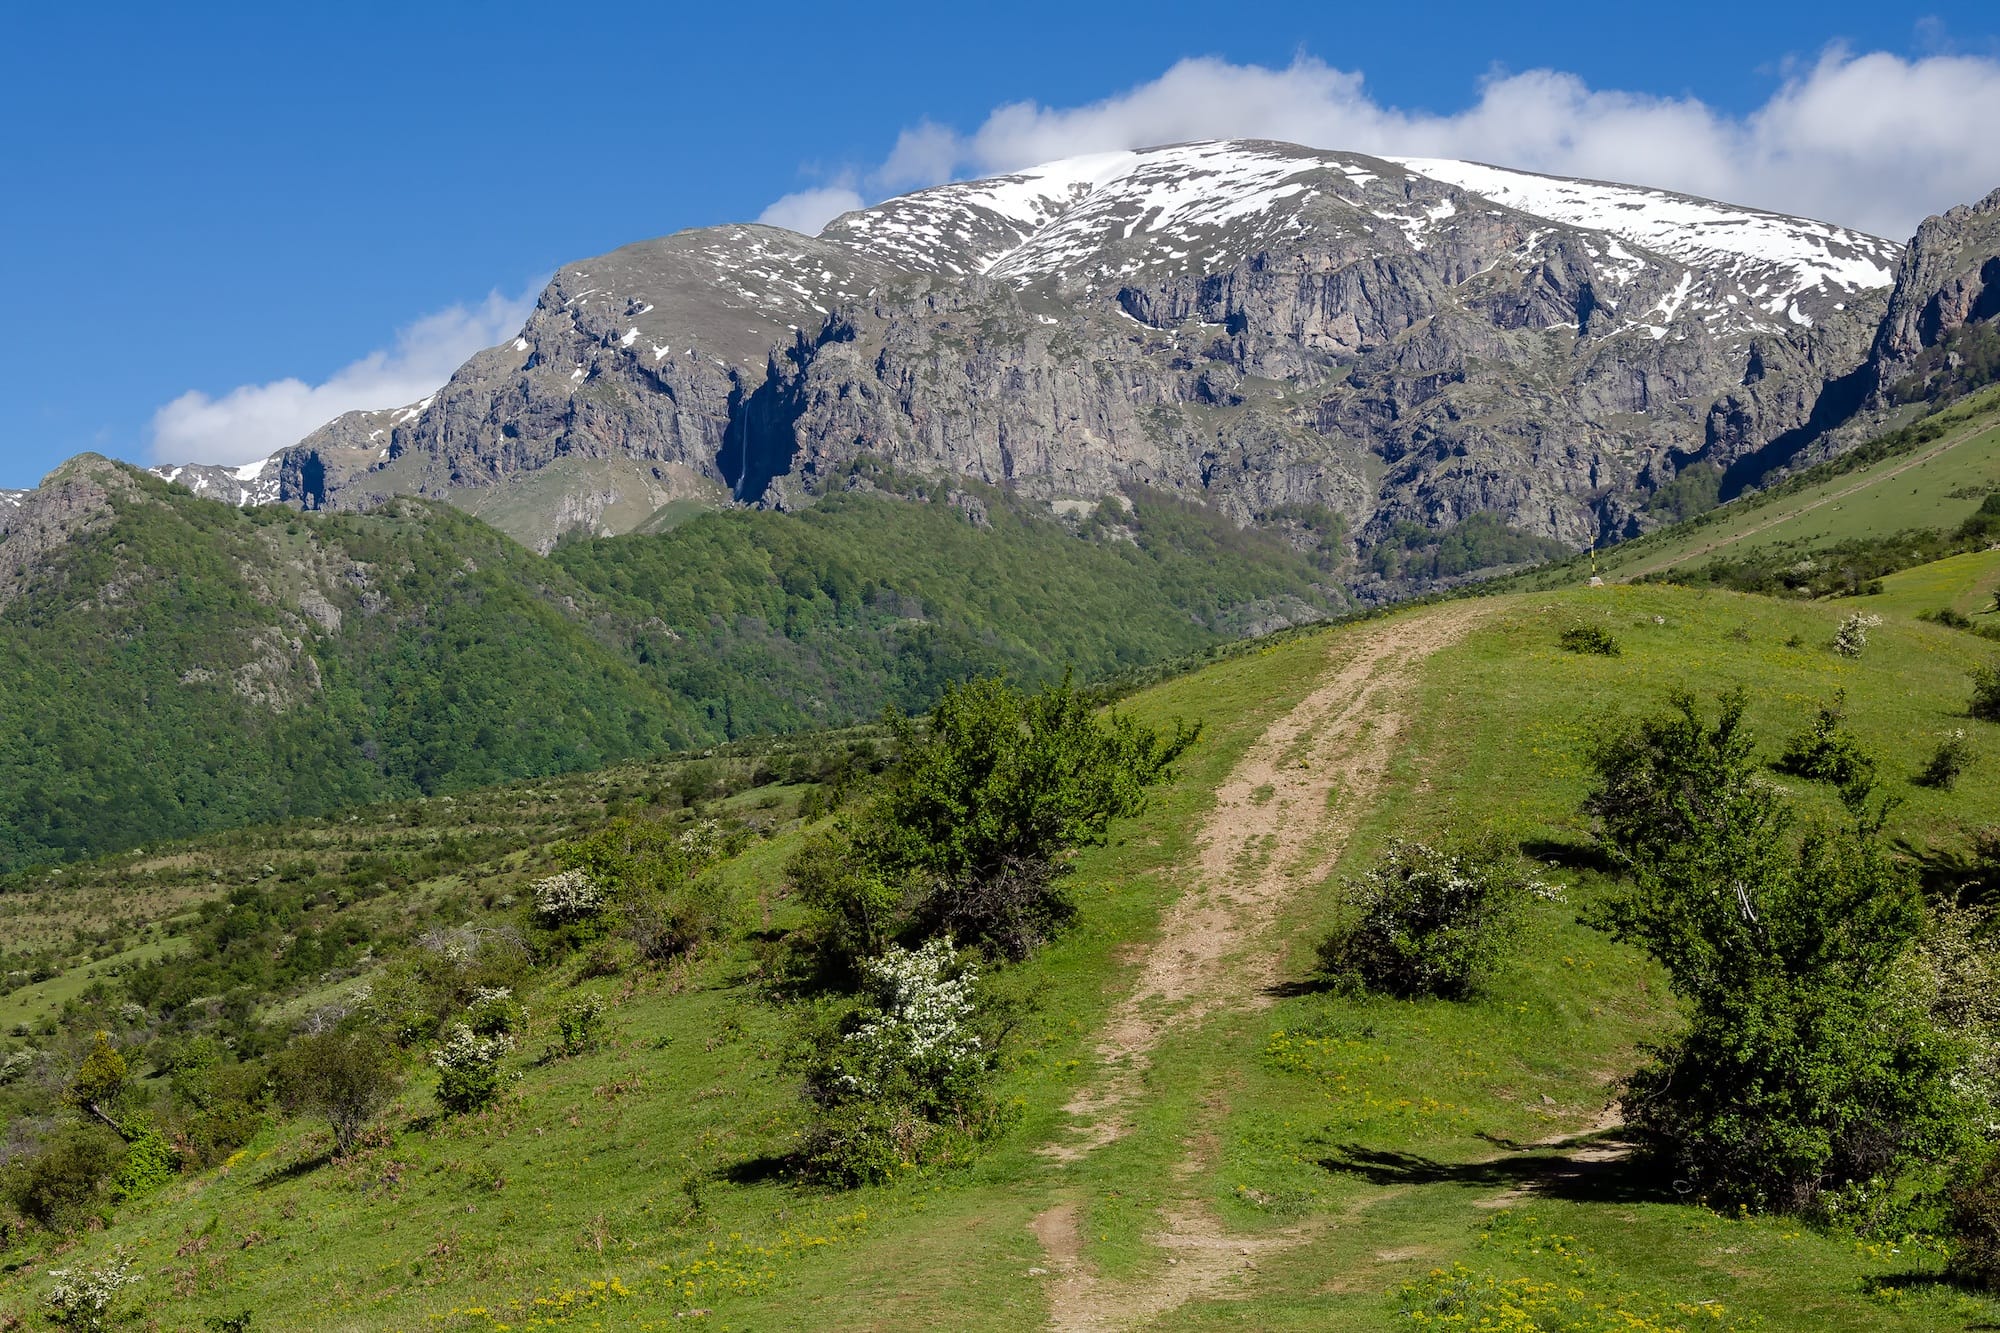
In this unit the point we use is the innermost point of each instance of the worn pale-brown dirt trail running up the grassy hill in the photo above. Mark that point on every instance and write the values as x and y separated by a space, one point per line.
1279 826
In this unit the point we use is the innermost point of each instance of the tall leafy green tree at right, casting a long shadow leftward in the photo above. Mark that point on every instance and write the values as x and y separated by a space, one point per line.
1799 1070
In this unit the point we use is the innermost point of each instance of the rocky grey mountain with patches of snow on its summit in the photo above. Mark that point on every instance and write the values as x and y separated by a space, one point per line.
1251 325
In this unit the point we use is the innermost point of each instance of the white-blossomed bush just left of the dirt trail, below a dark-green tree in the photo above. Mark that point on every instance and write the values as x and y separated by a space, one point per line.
919 1022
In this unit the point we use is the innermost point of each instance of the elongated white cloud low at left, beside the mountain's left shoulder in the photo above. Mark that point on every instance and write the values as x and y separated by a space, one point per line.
255 421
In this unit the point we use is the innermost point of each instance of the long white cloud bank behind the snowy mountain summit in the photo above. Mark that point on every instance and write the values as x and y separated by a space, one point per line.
1869 141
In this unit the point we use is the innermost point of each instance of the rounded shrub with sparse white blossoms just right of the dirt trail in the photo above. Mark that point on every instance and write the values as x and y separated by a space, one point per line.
1431 922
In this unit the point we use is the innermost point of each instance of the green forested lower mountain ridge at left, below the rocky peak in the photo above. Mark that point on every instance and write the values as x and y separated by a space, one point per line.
173 665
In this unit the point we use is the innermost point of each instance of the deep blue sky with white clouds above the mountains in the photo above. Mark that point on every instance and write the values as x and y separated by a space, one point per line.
219 199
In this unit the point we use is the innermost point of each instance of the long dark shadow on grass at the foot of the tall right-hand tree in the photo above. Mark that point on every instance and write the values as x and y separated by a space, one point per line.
1589 1170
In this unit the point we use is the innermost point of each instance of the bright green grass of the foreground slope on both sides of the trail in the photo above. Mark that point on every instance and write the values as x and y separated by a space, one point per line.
1389 1130
